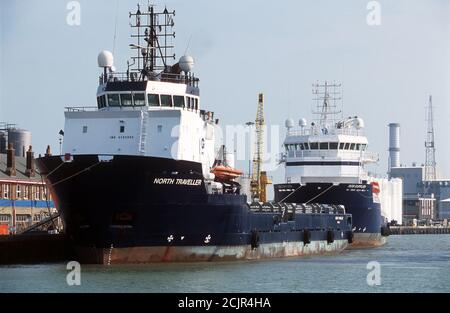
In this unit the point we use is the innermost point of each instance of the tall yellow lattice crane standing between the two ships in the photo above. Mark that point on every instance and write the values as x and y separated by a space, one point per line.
260 180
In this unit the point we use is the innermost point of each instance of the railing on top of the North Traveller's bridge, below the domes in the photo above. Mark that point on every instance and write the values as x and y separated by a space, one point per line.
133 76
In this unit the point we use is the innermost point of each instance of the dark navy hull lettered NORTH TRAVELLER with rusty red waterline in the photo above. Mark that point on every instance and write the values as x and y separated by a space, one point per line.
132 209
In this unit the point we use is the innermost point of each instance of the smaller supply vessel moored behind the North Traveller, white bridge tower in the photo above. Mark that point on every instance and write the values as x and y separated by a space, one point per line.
324 162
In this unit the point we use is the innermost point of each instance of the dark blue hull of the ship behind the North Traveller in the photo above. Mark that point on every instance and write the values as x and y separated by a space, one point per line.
358 200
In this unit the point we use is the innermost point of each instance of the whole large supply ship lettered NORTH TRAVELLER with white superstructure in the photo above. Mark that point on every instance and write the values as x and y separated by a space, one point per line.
139 181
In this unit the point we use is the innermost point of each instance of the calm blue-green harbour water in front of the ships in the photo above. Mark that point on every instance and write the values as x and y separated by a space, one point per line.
407 264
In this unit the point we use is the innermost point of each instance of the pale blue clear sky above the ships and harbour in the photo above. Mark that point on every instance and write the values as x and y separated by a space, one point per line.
242 48
